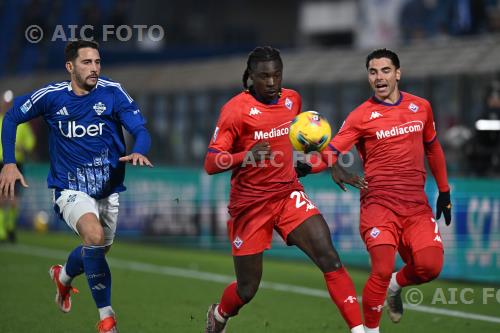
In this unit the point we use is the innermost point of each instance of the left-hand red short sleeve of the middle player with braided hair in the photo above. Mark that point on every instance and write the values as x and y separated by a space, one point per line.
226 131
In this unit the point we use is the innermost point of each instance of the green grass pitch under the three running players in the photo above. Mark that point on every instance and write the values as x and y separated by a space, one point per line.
164 289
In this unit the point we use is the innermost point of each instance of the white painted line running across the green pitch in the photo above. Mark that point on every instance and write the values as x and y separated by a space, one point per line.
44 252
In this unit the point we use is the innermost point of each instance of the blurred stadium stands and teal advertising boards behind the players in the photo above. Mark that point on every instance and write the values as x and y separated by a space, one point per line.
450 54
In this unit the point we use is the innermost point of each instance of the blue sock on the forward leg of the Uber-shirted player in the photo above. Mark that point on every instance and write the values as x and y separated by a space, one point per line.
98 274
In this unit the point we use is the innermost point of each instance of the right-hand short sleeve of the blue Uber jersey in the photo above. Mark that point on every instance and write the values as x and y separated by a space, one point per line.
128 112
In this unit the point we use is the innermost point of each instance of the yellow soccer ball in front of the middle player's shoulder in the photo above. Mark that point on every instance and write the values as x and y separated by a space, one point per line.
309 131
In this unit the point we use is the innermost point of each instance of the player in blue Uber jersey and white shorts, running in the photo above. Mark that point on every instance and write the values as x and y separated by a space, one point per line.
87 165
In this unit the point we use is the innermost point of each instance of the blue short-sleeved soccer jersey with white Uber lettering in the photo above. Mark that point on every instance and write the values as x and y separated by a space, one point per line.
85 134
